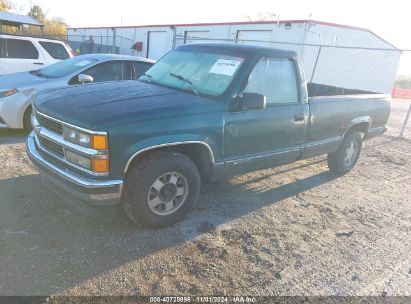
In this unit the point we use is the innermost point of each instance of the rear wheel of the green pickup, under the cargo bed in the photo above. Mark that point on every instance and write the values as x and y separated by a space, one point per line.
337 161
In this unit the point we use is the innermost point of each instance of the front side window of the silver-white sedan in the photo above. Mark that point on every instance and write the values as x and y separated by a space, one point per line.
108 71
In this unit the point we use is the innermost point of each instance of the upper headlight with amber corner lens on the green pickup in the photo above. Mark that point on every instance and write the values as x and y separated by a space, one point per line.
98 142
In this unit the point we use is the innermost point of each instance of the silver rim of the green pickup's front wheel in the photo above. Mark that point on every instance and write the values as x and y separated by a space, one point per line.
167 193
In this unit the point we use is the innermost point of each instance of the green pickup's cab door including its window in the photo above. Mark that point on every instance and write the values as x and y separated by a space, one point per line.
274 135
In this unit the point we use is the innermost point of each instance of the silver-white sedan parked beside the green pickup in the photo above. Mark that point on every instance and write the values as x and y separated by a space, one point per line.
17 90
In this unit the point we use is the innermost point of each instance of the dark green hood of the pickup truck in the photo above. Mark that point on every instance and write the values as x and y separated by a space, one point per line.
100 105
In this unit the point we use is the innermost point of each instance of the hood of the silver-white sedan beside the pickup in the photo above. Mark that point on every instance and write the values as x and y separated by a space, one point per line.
20 81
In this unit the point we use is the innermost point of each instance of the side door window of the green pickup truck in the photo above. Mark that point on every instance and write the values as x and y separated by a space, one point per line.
274 78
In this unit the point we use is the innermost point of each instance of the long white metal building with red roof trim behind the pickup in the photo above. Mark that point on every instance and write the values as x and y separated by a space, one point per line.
332 54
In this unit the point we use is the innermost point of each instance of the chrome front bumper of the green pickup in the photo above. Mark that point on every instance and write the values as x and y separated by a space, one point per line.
77 190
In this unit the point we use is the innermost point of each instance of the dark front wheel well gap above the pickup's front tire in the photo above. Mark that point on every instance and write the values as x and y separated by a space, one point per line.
199 153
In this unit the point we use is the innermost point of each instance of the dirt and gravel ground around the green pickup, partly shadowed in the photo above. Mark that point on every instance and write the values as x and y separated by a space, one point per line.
292 230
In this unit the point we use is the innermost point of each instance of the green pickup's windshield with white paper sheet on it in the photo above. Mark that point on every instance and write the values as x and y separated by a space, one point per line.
198 72
